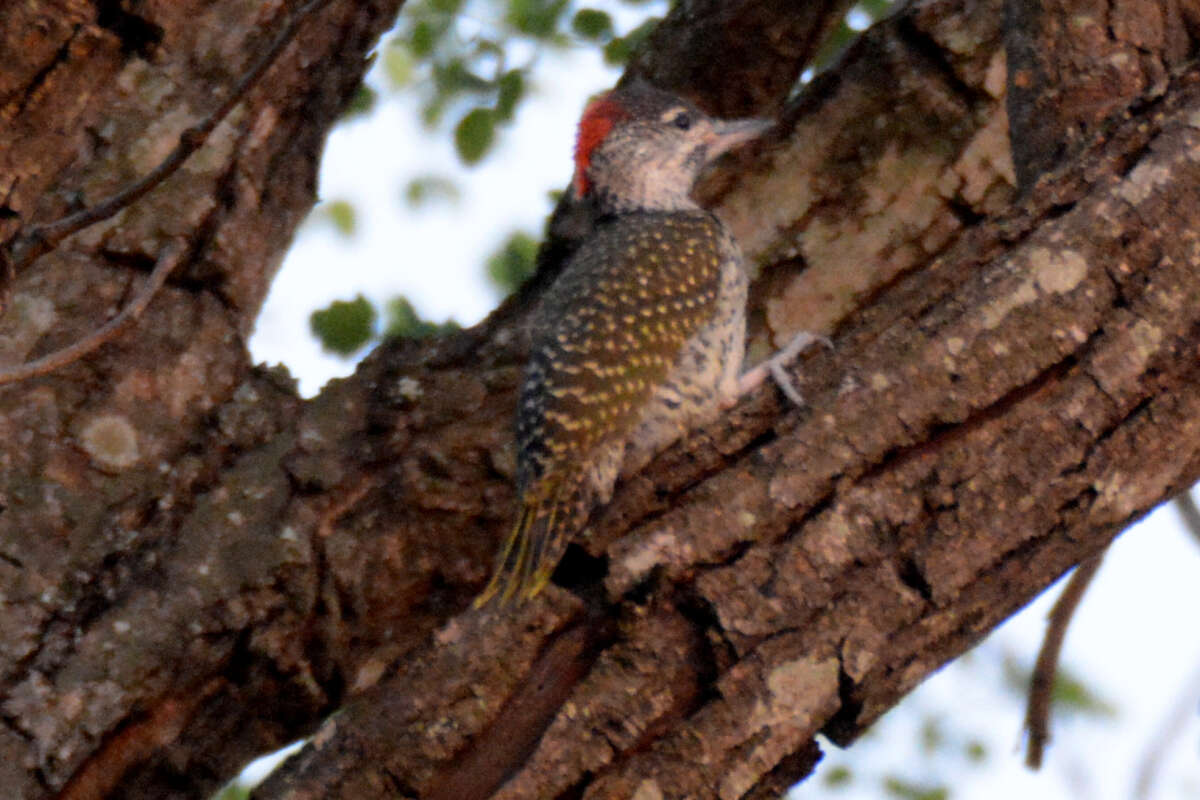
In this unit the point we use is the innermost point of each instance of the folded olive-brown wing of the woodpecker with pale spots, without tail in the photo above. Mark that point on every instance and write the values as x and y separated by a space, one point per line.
609 333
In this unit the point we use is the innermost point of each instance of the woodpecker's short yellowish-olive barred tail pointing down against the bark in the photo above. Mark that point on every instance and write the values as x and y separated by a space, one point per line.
533 549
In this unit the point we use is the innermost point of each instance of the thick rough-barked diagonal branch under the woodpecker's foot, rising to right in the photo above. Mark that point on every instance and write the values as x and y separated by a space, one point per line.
983 426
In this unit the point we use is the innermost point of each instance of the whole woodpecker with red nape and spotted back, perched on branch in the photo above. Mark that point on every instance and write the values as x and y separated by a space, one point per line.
641 336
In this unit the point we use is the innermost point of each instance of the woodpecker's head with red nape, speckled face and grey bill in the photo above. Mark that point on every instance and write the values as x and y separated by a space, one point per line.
640 148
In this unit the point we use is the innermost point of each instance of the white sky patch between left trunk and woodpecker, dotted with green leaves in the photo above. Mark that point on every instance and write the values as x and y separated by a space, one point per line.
435 255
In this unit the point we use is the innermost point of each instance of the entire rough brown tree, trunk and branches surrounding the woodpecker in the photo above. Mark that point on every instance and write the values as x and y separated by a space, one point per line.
197 567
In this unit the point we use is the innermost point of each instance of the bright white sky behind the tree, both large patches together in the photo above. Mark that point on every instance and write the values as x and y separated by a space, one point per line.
1136 639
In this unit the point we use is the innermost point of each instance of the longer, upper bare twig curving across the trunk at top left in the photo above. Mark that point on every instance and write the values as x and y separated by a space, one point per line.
25 249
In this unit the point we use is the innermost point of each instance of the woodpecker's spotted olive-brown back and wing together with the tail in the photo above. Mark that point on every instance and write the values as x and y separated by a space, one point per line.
605 338
